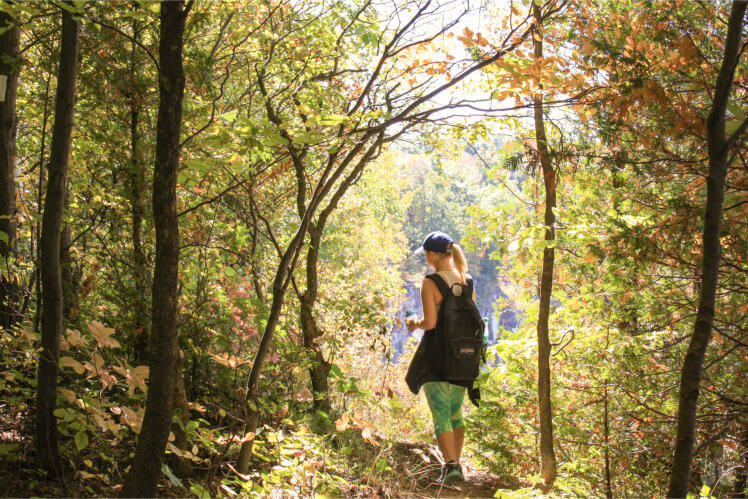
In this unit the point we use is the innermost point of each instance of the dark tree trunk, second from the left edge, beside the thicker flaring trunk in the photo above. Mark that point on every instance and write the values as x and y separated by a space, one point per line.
47 455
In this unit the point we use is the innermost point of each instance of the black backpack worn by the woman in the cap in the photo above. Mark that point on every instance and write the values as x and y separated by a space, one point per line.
459 332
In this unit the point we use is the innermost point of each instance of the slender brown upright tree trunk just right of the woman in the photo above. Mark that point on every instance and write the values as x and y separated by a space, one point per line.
547 456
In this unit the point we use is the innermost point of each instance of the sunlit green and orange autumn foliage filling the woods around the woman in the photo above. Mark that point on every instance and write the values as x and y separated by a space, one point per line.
320 141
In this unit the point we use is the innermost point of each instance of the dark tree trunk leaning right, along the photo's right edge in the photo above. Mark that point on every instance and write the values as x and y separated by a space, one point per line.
718 150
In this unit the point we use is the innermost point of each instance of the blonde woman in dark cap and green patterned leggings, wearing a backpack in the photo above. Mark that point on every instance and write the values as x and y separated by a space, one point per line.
437 365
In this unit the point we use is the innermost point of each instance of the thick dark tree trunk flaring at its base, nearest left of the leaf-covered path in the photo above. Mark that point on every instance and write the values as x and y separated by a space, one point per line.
164 355
